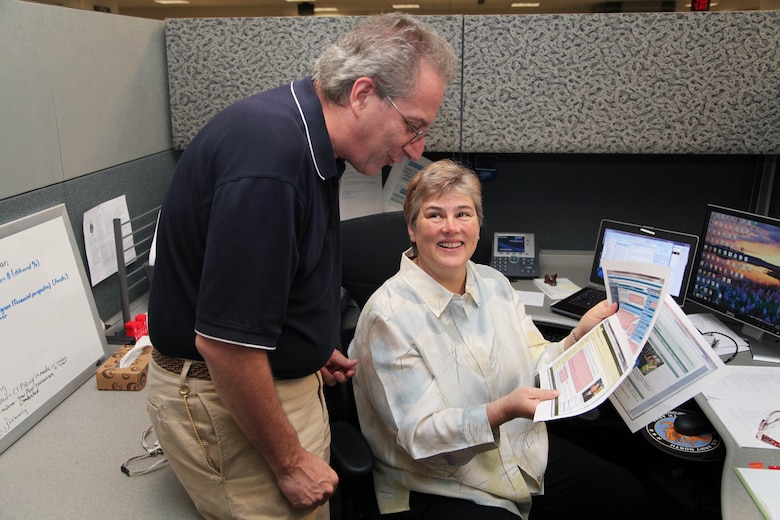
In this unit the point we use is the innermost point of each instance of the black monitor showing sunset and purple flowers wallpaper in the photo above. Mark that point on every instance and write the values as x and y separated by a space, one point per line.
737 271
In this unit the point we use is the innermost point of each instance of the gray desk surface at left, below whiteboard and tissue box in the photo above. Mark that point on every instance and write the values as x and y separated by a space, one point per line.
68 464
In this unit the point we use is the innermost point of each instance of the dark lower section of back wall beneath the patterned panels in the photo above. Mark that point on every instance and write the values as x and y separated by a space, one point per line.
563 197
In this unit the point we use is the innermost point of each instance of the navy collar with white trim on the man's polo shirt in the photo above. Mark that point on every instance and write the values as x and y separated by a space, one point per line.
320 146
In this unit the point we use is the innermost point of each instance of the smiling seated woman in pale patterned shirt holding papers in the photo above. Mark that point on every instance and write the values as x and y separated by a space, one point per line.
445 385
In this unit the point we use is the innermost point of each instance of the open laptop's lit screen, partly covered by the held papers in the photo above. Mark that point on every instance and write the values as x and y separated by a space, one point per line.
635 243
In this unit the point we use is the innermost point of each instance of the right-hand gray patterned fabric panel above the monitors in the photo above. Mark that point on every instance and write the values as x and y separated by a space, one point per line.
666 83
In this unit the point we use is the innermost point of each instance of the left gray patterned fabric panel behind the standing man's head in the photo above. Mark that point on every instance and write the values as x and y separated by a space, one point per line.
213 62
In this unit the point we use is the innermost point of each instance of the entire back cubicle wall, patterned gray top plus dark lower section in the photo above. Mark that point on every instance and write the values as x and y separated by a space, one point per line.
643 117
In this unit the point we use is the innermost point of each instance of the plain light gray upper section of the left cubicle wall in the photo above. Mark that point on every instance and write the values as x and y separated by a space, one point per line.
80 91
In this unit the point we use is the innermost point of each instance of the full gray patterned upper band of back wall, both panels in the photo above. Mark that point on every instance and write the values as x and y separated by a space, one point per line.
659 83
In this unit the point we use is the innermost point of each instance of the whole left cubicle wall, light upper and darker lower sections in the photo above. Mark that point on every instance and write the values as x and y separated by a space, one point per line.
84 116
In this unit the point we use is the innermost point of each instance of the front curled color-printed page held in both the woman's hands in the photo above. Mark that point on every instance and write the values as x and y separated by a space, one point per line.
589 372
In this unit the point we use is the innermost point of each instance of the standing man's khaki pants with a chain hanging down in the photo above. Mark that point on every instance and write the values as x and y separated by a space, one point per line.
243 486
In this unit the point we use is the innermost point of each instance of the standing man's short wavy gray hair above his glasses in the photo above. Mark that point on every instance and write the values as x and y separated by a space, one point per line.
387 48
